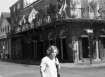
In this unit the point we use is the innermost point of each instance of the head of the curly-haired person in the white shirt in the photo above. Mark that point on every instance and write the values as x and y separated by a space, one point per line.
52 51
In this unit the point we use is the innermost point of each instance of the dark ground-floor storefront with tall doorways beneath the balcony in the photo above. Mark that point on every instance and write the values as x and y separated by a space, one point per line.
70 36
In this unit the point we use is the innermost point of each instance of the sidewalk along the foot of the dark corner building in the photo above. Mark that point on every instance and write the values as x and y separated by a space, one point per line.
85 64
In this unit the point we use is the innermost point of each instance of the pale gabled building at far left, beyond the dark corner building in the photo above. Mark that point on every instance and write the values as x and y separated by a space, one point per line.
5 30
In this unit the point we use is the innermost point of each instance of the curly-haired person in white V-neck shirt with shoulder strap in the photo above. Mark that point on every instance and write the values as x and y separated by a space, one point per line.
48 63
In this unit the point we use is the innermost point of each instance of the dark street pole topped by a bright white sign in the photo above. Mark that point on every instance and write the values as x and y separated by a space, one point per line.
90 31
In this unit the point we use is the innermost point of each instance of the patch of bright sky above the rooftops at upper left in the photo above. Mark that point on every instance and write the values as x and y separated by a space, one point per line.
6 4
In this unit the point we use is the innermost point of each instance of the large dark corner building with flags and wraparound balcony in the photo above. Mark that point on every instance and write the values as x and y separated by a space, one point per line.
76 27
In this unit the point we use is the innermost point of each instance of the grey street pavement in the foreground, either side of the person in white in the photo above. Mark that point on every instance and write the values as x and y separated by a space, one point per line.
8 69
